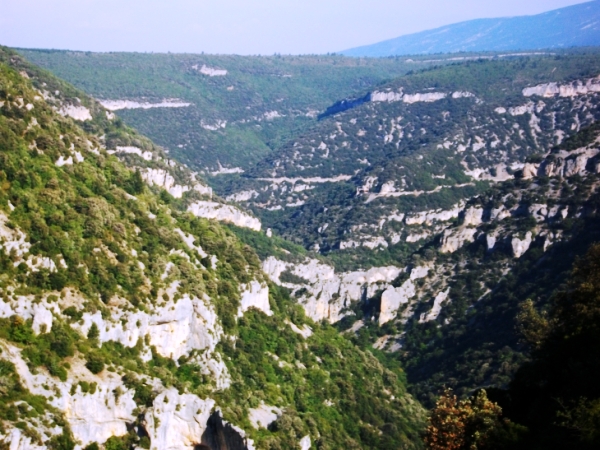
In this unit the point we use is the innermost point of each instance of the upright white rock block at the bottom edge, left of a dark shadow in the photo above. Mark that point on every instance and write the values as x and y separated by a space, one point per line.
177 422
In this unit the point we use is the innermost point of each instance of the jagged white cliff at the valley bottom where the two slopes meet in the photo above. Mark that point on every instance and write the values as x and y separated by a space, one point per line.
329 293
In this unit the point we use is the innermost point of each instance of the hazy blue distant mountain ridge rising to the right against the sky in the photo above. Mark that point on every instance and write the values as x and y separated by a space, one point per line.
573 26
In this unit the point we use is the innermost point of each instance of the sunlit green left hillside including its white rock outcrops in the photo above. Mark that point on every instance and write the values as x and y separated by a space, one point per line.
130 320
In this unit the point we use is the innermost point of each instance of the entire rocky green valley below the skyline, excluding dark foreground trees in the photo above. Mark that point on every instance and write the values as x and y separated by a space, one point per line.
318 290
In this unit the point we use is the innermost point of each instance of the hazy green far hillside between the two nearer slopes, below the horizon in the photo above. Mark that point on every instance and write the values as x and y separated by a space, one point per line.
219 110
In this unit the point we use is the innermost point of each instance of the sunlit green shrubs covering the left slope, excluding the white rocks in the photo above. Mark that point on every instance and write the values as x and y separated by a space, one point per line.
96 240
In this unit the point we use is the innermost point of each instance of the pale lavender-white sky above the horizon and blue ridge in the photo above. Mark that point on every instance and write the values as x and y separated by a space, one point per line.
243 27
